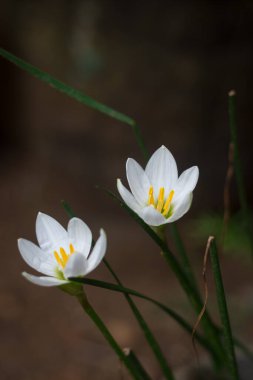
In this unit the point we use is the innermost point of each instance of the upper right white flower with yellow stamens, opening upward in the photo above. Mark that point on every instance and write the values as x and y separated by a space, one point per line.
157 194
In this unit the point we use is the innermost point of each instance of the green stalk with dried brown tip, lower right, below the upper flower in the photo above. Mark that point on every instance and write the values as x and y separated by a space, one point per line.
224 316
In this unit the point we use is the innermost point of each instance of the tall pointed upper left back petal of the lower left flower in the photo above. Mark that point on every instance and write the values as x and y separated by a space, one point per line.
50 233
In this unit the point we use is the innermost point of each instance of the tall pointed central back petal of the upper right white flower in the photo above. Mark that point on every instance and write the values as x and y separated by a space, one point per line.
161 170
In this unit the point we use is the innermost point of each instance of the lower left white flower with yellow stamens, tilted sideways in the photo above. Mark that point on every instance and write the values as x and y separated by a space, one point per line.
61 254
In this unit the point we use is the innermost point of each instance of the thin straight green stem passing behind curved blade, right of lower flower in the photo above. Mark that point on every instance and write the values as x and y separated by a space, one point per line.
146 330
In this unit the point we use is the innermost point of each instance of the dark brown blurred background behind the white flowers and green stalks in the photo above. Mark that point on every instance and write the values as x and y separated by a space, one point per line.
167 64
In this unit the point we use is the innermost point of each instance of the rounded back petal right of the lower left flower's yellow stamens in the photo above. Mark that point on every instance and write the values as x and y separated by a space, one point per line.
81 236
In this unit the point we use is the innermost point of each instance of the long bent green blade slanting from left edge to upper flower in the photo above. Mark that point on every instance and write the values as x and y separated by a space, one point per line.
77 95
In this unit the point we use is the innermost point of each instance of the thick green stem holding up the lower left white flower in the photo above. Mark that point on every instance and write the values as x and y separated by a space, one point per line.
129 364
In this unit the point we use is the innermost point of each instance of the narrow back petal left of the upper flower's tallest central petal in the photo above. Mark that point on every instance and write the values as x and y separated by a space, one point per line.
138 181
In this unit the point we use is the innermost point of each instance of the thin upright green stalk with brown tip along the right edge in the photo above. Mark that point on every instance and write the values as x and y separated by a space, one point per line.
237 165
